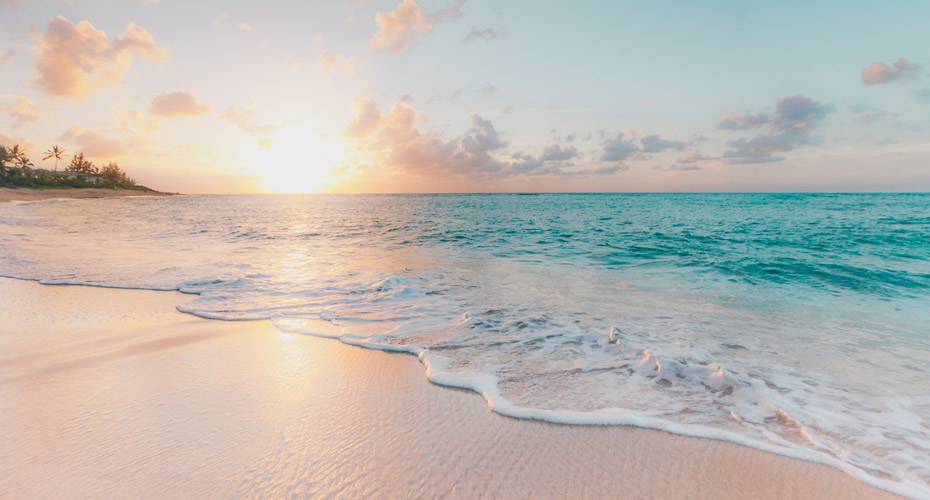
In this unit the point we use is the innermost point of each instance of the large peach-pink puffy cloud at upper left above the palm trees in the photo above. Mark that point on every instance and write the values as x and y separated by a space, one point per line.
76 61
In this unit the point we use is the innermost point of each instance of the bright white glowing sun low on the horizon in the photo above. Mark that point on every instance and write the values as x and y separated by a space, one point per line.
298 159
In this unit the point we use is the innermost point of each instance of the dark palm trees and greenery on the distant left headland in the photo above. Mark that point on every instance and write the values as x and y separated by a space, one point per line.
17 170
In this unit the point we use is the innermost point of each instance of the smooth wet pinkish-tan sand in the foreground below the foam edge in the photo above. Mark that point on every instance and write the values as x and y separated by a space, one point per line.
114 394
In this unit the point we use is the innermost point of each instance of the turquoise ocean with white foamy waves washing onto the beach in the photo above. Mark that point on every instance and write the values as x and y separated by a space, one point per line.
794 323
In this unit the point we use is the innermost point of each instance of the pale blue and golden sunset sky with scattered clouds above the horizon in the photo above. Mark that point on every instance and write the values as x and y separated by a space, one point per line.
372 96
